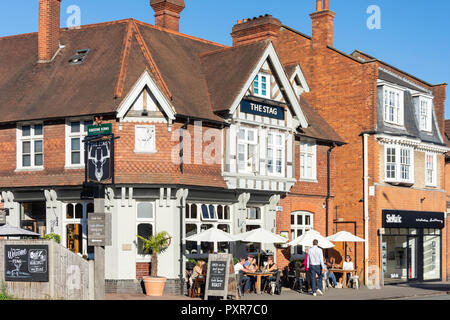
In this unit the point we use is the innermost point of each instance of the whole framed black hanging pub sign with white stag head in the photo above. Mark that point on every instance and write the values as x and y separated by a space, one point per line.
99 159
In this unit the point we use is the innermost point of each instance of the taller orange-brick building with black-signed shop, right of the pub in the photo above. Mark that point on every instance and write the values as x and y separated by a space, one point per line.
393 163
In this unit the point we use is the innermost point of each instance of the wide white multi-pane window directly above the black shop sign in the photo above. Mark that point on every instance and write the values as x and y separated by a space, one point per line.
399 164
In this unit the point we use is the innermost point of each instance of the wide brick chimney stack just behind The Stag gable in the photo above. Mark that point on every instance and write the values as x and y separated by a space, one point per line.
252 30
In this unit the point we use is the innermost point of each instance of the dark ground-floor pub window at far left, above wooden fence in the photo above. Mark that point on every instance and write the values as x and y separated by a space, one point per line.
33 217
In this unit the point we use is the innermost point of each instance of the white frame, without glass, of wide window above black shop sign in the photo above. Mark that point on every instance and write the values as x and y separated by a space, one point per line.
398 164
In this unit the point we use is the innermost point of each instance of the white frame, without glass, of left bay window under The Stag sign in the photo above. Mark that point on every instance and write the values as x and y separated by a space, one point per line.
248 164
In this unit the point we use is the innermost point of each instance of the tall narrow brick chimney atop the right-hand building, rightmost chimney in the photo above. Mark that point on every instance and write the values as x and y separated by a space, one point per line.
322 24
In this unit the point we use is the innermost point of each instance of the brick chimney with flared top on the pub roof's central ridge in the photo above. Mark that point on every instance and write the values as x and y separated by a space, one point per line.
167 13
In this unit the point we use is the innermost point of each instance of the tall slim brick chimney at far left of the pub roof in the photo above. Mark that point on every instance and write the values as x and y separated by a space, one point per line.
48 34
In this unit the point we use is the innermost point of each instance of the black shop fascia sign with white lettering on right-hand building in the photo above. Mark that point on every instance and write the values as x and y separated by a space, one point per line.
413 219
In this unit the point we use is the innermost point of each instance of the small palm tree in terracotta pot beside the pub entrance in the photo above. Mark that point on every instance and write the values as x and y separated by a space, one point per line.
154 245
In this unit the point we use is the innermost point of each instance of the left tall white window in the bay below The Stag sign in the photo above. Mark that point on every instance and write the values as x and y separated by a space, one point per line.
247 150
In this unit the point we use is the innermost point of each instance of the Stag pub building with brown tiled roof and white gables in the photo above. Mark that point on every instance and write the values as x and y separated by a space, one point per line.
208 135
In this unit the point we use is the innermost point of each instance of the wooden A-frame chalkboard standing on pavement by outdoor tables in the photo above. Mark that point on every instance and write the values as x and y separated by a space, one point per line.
220 277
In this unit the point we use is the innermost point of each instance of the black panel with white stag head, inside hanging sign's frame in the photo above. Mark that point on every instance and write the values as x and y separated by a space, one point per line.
99 157
